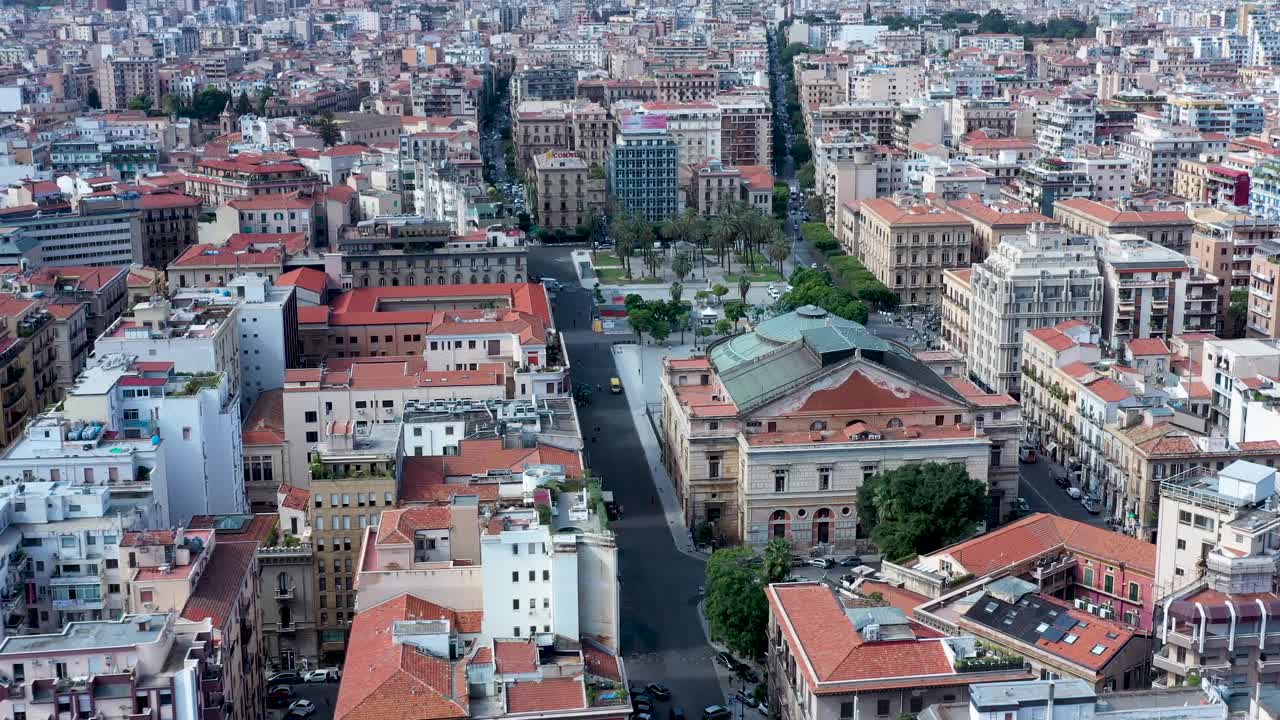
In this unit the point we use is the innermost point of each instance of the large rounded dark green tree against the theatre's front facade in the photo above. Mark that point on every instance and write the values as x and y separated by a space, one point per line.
921 508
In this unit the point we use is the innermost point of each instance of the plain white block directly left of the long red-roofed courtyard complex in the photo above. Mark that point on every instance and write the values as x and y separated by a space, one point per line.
267 321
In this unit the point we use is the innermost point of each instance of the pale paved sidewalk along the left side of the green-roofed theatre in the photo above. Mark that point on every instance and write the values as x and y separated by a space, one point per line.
628 359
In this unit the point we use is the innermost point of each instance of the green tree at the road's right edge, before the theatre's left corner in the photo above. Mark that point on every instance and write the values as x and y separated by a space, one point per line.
738 612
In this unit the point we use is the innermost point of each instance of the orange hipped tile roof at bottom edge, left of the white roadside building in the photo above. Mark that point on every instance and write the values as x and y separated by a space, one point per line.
383 680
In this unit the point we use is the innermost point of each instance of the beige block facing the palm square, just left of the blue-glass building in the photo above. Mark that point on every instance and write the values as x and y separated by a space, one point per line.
566 194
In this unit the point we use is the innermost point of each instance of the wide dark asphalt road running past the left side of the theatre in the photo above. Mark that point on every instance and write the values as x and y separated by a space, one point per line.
662 637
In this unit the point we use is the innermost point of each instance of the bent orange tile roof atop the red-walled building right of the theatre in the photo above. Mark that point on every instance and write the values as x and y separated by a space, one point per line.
1037 535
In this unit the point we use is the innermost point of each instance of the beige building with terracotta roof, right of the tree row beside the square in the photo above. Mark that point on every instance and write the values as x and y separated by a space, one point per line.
908 245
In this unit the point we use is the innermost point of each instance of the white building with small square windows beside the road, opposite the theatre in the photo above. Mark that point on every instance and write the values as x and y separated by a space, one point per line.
550 569
